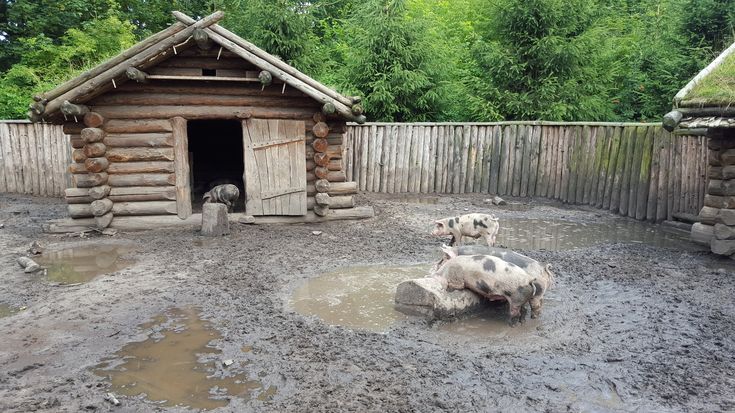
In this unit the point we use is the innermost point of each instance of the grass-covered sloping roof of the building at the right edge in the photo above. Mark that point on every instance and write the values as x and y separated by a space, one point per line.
708 100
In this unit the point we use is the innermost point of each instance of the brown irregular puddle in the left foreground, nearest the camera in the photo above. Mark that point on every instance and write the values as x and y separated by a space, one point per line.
176 366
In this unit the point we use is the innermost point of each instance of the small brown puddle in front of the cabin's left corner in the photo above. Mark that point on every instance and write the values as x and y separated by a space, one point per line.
81 264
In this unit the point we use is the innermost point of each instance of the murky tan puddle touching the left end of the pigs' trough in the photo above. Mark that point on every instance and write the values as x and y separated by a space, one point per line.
356 297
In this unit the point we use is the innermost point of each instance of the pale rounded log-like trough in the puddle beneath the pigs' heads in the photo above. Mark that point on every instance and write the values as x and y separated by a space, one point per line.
427 296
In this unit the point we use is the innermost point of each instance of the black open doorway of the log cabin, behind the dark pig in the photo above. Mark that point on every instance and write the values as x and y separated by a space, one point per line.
215 158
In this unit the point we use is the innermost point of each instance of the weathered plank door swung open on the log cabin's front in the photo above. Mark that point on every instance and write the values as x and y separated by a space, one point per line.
275 166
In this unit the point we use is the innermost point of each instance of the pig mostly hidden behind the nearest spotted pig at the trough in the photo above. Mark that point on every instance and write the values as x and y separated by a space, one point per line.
541 273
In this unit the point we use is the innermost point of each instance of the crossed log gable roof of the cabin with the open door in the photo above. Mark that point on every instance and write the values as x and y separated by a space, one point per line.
49 106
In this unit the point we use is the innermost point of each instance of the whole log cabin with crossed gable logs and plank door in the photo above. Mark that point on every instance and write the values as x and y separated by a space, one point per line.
192 106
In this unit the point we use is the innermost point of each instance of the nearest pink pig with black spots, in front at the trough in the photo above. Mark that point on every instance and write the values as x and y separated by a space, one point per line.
493 279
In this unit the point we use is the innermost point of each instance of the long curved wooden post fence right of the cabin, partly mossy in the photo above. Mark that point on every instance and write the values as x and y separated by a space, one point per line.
638 170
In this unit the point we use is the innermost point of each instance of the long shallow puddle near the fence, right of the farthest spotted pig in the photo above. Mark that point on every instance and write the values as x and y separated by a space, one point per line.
558 235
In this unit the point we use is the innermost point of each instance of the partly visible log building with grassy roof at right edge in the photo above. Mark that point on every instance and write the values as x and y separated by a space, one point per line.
706 106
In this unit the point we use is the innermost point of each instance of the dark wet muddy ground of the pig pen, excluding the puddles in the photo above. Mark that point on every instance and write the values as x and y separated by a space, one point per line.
628 327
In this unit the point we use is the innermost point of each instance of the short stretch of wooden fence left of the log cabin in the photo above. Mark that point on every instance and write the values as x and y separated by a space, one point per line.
34 158
